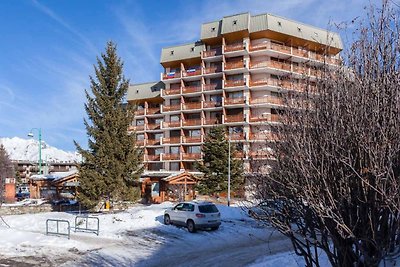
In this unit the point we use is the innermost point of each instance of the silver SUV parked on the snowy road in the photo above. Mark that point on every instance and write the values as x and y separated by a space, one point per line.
194 215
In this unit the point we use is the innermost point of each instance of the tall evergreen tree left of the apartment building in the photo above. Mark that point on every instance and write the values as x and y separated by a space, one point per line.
112 163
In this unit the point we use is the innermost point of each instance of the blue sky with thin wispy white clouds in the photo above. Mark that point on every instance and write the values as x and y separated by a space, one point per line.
48 49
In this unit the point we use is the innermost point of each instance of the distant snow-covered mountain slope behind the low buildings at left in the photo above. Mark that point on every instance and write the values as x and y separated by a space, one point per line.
28 149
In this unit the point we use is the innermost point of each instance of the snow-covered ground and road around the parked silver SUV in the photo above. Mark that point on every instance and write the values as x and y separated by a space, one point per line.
138 237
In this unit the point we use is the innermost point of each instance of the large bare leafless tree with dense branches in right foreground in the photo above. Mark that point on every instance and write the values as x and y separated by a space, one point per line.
336 178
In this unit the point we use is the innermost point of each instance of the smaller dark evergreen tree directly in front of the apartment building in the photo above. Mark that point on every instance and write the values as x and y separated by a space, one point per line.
215 164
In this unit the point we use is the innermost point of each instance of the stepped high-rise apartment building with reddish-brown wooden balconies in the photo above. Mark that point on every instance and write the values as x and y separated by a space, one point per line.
233 76
